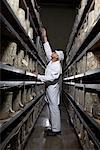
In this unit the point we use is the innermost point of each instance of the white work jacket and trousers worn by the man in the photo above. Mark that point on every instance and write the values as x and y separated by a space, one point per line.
53 71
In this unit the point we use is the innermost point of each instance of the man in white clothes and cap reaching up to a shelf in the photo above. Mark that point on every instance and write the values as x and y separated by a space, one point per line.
51 77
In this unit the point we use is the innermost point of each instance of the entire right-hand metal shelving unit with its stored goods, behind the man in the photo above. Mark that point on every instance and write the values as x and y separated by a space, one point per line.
81 80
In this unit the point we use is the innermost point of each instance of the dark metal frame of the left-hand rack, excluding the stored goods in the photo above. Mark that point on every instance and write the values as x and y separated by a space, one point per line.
12 127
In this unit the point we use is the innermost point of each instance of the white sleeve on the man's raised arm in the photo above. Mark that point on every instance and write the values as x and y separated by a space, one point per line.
48 50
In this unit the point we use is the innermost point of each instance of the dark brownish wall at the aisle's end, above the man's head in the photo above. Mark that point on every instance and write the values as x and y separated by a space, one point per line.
58 21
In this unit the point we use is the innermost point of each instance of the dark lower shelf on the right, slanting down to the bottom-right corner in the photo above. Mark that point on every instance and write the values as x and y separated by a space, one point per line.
87 121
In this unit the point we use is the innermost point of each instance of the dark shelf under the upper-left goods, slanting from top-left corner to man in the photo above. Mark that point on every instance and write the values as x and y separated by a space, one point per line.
16 25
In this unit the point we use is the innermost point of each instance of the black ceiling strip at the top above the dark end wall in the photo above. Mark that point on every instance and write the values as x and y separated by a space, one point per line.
66 3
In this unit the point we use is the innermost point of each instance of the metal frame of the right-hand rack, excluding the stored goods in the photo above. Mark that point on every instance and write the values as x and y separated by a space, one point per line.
87 81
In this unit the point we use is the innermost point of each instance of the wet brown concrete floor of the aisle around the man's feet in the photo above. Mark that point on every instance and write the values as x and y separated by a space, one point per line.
66 141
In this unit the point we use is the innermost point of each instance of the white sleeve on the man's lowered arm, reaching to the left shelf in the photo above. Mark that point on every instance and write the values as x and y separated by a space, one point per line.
50 77
